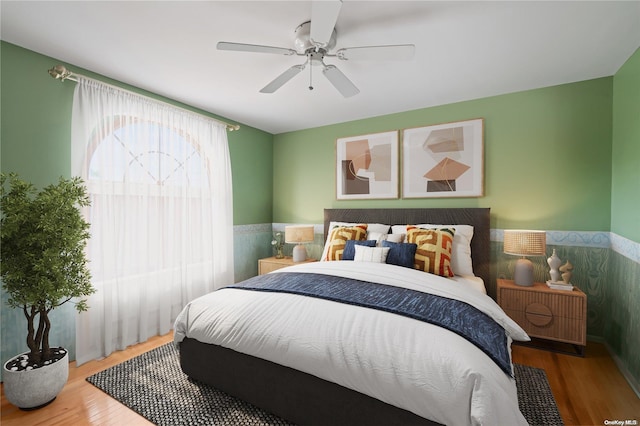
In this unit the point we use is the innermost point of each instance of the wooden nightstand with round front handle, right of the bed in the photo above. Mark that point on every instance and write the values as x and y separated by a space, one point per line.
544 313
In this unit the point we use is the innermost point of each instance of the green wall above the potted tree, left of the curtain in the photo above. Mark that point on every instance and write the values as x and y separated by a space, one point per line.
36 118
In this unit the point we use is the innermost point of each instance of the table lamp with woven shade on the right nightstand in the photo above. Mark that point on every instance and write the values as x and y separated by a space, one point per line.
520 242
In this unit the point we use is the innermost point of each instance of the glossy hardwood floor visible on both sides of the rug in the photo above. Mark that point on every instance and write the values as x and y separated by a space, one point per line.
588 390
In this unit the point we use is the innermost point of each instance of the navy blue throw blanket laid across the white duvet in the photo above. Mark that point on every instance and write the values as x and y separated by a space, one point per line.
453 315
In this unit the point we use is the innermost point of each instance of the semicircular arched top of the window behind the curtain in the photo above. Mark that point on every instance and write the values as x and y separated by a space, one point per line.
147 153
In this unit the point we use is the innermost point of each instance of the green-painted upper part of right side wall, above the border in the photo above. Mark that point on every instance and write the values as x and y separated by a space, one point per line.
625 202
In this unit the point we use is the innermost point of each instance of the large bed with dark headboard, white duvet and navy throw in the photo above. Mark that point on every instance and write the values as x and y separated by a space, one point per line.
313 360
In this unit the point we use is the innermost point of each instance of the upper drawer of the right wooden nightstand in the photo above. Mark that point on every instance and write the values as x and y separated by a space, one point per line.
570 305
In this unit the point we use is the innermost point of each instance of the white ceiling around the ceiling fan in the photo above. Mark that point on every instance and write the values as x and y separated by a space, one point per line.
464 50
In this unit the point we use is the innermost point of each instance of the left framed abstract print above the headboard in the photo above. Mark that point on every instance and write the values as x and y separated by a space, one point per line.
367 166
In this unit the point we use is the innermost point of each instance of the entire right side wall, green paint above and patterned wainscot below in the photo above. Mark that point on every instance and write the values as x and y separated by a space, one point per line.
622 325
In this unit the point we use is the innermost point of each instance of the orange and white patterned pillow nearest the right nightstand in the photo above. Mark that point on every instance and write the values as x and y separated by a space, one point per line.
433 254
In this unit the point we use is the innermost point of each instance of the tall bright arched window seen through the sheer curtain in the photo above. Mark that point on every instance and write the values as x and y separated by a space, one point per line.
162 205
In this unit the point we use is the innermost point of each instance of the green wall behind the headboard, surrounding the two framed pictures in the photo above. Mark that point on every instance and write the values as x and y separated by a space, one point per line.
547 159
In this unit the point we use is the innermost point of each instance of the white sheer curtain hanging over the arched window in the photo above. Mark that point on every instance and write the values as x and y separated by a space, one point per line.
161 213
